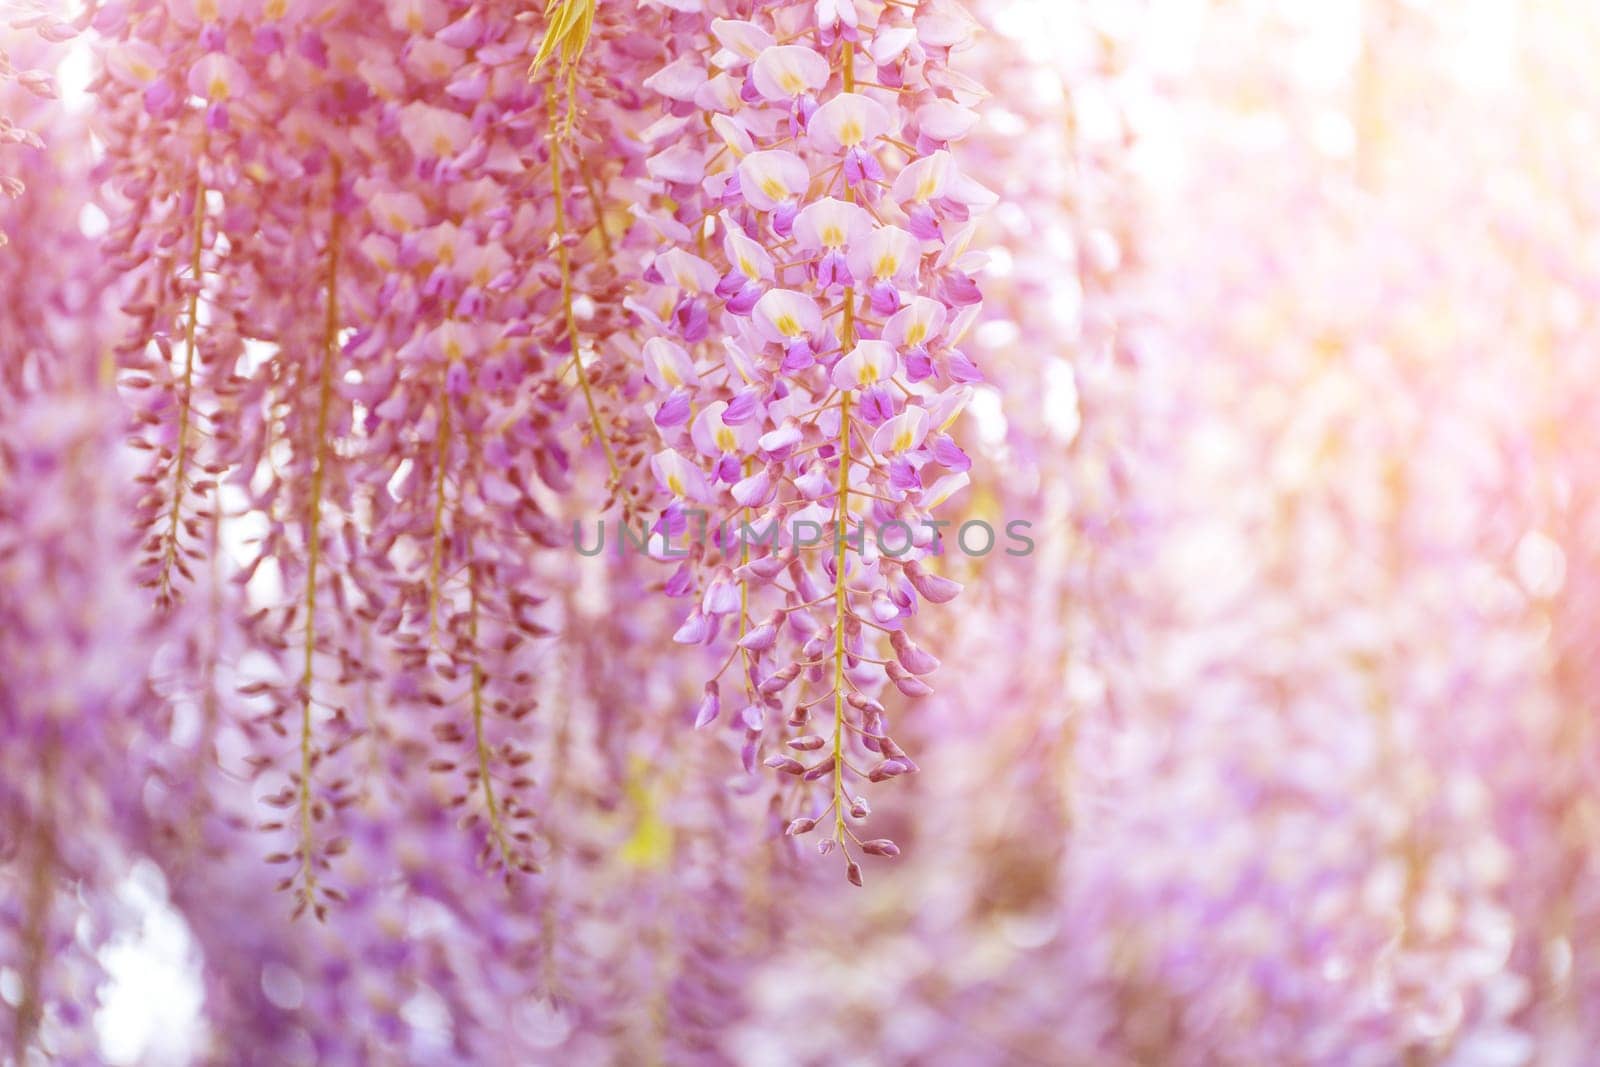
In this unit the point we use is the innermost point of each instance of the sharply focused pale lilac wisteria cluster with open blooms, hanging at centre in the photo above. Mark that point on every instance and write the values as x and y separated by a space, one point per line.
804 327
